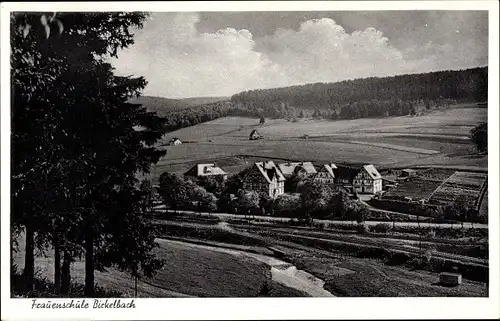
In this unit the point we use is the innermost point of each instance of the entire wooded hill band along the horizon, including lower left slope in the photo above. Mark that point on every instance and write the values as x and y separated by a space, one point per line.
370 97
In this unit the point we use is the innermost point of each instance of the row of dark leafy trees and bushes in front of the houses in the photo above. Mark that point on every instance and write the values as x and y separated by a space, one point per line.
208 194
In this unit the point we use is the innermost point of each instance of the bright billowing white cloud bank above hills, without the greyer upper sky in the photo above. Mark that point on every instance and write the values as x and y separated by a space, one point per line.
178 61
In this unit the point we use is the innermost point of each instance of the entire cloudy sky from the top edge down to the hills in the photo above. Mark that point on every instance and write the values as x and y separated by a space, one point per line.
220 54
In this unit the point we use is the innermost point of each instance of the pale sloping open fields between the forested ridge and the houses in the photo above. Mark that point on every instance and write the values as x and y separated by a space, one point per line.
438 138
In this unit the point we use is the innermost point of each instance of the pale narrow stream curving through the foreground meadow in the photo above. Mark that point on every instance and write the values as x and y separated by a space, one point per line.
281 272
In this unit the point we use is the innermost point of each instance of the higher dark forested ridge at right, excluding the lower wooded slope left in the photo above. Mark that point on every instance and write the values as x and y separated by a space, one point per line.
370 97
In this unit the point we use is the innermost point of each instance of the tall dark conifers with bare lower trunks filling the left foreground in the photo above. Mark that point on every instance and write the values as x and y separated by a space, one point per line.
75 152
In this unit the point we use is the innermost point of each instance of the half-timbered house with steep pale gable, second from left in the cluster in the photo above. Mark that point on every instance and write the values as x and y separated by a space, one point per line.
265 177
